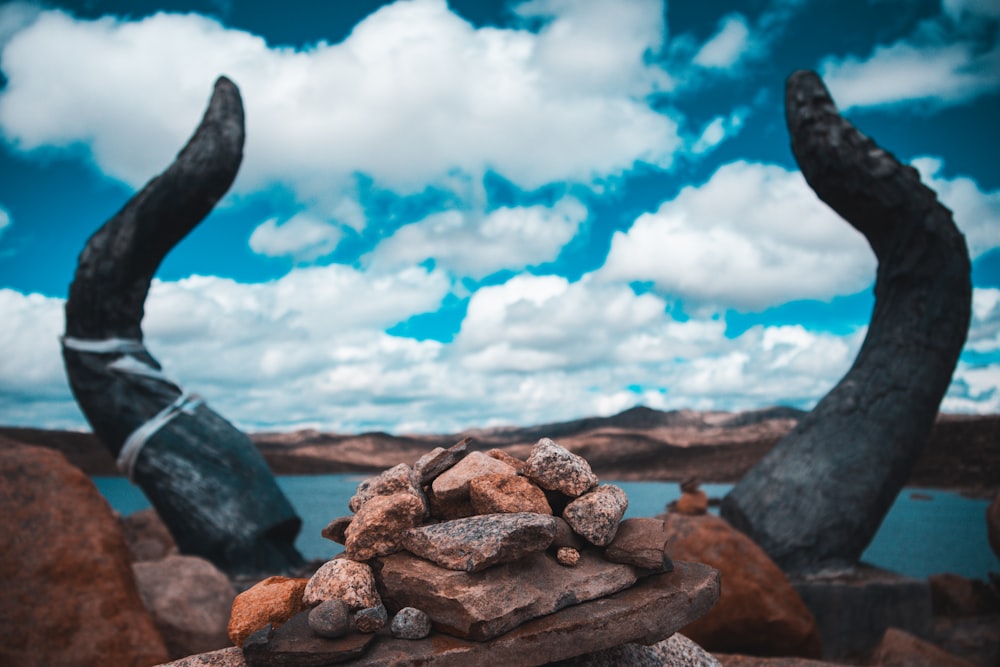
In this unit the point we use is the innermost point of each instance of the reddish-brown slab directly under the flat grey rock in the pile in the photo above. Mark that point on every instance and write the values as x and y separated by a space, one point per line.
483 605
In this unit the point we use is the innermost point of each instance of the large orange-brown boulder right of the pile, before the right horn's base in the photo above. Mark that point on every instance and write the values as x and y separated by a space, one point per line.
758 612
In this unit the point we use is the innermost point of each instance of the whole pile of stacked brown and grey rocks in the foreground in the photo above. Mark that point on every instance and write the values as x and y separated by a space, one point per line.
476 545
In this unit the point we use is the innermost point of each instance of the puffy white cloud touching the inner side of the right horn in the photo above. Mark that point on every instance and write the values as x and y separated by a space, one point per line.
753 236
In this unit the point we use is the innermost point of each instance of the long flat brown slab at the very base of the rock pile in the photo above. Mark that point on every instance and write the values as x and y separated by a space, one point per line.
648 612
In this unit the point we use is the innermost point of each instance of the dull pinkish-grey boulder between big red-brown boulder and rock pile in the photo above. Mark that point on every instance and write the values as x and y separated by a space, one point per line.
190 600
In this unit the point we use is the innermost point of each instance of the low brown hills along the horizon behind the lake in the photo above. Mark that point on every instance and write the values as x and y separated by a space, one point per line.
962 453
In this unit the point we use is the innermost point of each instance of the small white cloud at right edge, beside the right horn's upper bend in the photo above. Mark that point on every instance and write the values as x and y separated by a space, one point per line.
976 213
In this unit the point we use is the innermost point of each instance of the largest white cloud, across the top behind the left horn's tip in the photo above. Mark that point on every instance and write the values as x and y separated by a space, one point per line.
413 95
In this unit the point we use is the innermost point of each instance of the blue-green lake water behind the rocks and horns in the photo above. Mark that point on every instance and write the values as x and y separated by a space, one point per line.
925 532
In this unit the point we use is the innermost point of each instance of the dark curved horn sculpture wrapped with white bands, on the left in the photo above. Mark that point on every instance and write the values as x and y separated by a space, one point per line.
206 479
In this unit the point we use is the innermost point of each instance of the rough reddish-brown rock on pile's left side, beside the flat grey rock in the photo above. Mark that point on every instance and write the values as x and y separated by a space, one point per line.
380 524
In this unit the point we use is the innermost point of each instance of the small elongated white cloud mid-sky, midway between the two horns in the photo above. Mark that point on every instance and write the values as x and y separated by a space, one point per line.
476 245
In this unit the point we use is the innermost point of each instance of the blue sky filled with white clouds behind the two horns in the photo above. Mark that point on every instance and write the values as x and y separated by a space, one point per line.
475 213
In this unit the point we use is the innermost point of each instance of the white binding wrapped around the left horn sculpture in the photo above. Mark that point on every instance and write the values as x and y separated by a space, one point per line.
130 365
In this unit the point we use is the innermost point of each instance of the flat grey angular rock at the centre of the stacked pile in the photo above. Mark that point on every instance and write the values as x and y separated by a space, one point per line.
478 542
